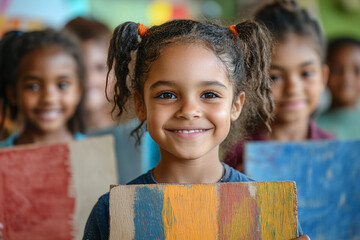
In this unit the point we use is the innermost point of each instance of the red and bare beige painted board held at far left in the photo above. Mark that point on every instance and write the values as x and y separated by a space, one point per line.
49 191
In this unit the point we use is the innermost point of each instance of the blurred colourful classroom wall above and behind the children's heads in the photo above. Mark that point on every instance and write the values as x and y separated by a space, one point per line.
337 16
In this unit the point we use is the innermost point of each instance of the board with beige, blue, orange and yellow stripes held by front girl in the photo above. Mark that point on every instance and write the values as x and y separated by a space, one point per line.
251 210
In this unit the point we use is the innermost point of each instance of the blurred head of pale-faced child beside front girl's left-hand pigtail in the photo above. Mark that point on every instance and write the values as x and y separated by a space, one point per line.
94 37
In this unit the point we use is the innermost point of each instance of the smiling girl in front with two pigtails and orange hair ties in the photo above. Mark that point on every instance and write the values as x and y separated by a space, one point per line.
189 85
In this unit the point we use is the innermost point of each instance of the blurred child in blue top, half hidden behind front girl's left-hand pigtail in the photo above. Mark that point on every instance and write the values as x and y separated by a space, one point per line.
94 37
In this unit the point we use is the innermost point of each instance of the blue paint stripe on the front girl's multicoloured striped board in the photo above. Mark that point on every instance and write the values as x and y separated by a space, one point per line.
148 205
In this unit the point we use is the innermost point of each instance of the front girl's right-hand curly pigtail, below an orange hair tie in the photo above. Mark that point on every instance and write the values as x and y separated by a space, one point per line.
257 48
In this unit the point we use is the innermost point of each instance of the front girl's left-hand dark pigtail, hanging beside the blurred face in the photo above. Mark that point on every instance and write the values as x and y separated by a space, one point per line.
123 42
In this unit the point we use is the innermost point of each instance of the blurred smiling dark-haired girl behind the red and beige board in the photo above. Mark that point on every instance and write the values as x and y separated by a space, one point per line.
42 81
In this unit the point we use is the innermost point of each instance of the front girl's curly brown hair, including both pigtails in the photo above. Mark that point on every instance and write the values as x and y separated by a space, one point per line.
246 57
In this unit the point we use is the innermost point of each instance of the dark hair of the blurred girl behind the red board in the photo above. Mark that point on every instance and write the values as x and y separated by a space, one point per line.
15 45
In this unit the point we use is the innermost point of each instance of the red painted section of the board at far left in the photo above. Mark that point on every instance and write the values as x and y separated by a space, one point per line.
34 193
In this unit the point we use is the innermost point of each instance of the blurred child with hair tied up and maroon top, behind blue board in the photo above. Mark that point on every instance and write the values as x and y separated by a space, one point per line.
298 76
